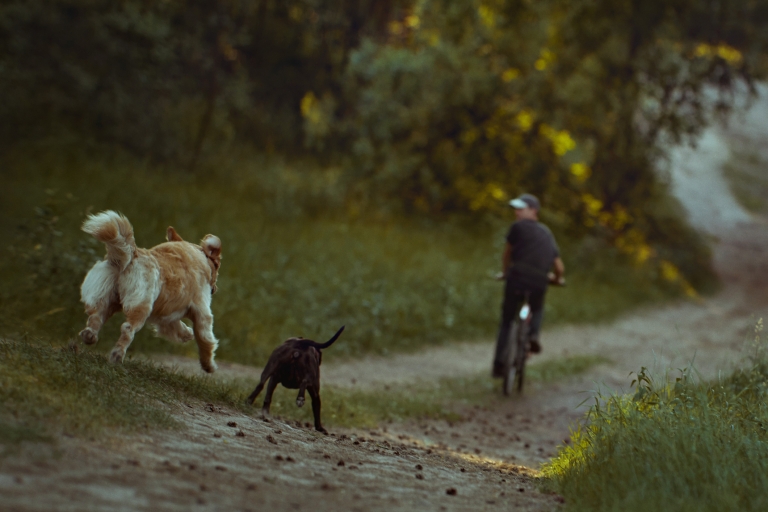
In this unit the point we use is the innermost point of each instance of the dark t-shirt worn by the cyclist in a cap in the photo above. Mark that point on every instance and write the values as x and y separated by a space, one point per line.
533 252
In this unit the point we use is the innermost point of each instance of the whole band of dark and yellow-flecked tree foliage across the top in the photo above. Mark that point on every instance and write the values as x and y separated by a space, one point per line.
432 106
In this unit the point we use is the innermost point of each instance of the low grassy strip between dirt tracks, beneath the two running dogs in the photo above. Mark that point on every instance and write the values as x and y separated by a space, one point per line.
49 390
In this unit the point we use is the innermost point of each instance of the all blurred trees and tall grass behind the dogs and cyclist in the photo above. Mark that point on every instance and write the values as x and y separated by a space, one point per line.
355 157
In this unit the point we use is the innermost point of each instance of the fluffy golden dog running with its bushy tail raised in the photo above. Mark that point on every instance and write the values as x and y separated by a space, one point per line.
161 285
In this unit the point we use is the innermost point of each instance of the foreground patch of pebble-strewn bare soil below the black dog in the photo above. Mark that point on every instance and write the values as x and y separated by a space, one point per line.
228 461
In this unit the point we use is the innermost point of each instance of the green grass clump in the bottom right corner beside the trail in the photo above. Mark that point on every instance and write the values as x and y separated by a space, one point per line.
685 445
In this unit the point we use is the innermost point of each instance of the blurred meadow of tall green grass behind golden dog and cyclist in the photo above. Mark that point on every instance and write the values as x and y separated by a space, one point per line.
296 261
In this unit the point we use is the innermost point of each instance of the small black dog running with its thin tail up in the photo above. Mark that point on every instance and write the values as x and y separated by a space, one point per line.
296 365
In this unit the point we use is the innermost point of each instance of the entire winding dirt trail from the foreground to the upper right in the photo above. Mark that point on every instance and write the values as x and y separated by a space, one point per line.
225 460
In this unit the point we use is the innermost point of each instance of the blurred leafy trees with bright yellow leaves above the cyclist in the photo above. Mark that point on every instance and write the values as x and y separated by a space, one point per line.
469 102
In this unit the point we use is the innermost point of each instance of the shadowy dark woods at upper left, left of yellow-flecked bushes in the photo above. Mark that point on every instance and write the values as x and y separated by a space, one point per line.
161 78
